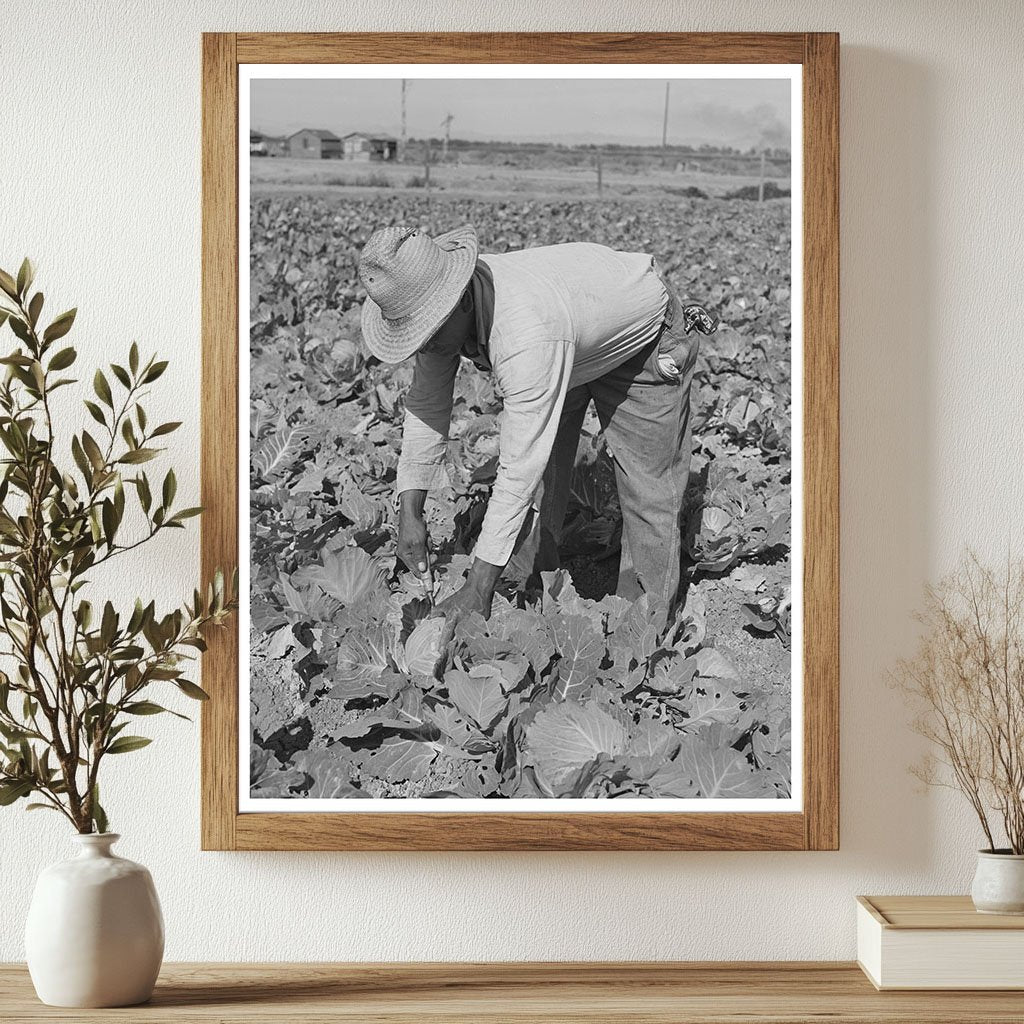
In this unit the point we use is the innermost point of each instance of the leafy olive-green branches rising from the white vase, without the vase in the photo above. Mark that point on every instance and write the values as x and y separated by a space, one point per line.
79 674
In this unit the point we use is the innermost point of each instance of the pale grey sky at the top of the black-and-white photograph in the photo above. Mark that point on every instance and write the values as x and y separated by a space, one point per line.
742 113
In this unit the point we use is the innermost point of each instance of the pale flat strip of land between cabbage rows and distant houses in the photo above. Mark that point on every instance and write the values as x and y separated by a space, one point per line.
271 175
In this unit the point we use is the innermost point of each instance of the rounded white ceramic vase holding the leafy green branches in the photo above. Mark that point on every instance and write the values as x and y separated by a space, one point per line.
96 934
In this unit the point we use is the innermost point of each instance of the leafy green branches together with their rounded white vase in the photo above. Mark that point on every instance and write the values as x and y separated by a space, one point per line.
82 672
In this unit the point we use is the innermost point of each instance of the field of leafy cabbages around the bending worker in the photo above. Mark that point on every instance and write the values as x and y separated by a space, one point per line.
567 691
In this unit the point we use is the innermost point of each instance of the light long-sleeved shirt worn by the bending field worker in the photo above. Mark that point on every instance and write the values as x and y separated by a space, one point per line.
564 316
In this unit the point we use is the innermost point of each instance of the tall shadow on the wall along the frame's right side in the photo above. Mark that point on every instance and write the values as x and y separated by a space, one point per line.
887 326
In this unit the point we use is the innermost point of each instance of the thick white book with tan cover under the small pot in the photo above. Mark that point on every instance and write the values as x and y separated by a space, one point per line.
938 943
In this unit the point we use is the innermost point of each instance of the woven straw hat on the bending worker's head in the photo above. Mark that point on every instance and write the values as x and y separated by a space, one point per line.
413 283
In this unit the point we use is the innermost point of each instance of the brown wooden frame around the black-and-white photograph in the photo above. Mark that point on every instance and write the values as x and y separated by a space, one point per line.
814 828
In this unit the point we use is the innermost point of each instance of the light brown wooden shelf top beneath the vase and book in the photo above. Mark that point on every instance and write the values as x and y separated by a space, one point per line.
525 994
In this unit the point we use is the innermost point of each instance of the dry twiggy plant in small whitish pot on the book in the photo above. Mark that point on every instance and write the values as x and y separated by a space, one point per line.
967 680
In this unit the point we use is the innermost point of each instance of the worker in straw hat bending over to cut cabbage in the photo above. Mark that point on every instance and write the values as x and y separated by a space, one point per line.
559 327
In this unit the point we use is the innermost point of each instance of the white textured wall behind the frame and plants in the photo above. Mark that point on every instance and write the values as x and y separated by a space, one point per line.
100 183
